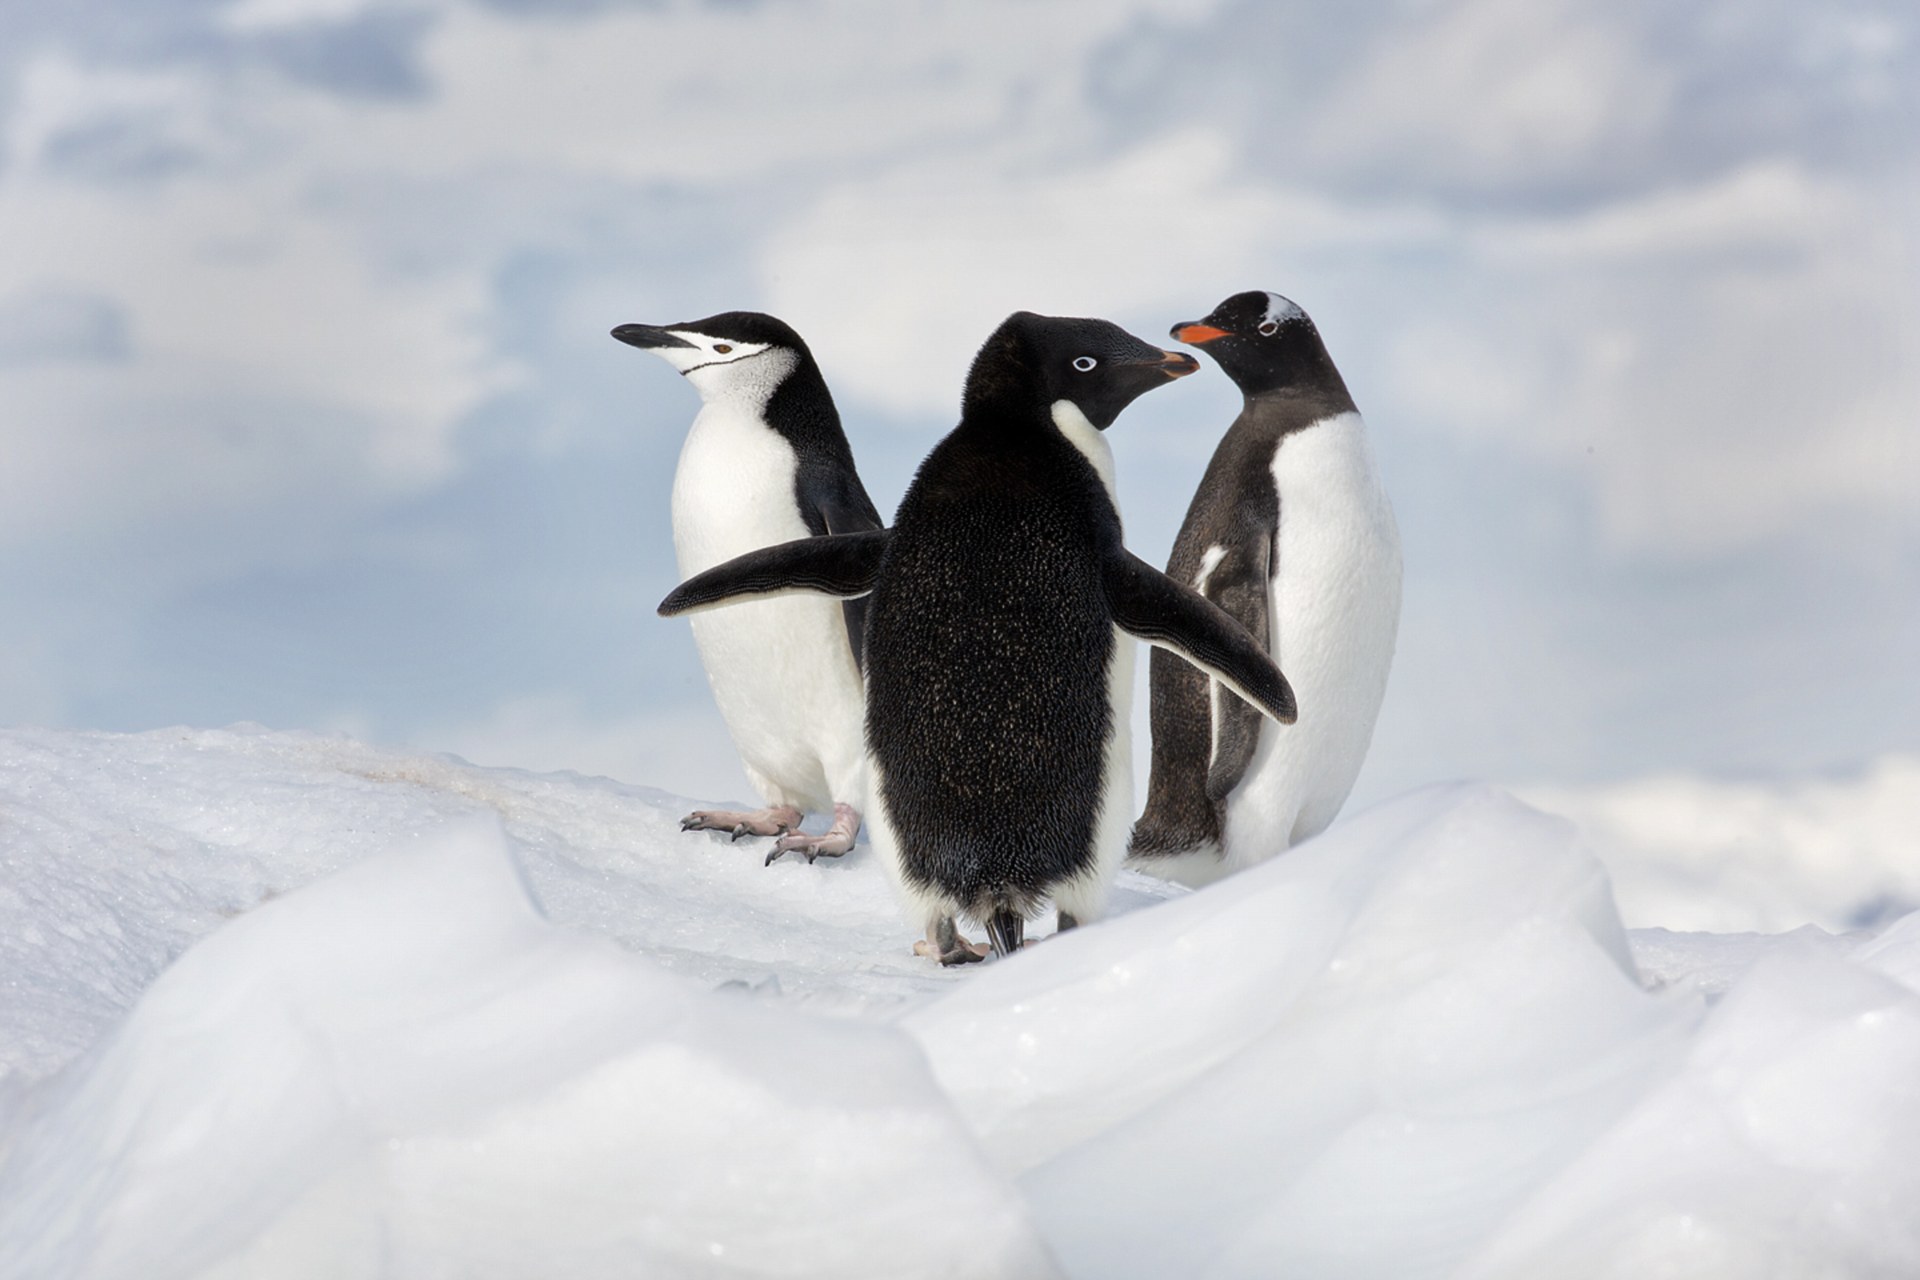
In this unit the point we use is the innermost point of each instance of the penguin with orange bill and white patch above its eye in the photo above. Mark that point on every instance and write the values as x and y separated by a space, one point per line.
1293 536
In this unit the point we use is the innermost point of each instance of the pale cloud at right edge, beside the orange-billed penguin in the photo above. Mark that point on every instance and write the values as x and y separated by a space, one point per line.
1733 362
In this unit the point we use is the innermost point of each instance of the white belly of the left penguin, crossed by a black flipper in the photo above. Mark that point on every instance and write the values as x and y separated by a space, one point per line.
782 671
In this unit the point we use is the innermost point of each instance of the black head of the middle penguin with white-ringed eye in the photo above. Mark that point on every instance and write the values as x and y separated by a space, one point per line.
1038 362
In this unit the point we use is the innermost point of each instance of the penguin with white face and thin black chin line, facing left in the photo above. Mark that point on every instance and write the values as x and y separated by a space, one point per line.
765 463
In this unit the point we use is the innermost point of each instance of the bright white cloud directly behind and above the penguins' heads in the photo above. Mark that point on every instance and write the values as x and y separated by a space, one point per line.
907 273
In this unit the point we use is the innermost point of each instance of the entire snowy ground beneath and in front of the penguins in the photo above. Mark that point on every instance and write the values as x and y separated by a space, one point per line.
277 1005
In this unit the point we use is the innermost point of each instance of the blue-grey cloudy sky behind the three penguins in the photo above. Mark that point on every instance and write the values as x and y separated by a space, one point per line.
312 419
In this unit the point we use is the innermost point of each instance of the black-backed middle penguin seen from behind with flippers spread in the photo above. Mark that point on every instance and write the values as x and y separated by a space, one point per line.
996 673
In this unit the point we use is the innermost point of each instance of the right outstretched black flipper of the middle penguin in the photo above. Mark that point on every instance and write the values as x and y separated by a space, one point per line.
1153 607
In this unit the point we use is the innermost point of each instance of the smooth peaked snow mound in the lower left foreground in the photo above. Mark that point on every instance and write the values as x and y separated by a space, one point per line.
404 1072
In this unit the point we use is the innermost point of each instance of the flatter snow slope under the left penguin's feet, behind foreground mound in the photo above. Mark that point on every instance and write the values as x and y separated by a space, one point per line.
124 849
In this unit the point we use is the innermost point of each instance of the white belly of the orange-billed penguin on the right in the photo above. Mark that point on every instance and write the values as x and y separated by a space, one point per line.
1335 613
